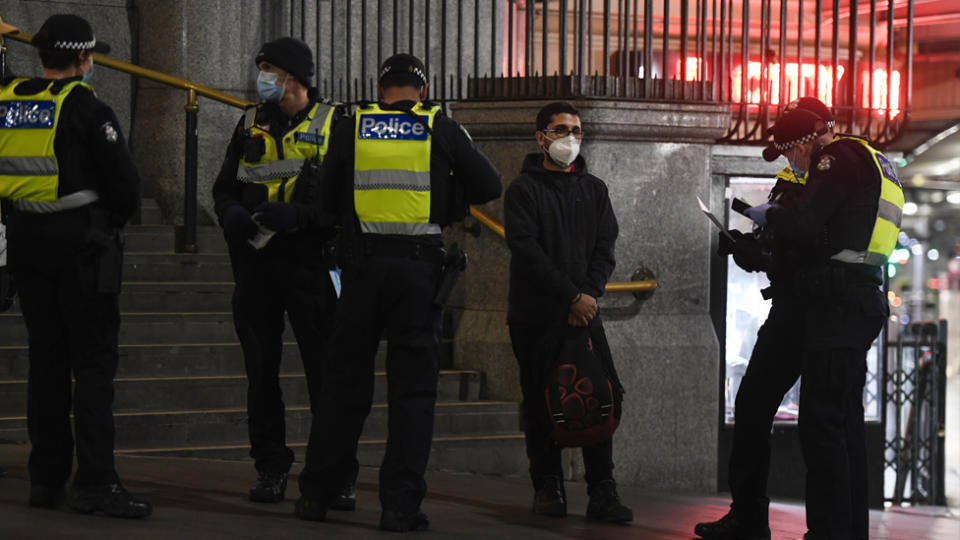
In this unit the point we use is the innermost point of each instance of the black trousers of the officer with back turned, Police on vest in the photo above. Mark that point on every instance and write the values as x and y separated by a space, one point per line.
390 296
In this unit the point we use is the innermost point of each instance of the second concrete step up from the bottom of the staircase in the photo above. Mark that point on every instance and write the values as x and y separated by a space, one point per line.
223 432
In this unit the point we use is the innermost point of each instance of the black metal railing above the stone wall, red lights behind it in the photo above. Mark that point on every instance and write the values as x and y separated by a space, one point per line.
751 55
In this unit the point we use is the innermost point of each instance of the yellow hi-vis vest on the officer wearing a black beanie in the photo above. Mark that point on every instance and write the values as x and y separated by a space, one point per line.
279 166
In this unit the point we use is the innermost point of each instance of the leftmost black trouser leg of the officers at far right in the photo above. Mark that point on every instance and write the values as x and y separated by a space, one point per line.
773 369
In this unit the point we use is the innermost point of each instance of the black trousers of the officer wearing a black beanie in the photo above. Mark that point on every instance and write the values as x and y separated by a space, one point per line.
266 287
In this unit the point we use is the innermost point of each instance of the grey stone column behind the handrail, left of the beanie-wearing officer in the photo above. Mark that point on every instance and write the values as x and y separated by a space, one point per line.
209 42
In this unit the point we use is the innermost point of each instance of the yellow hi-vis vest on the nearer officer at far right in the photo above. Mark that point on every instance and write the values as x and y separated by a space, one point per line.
889 212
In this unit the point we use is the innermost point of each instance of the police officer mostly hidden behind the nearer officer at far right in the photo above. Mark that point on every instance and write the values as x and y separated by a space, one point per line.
774 363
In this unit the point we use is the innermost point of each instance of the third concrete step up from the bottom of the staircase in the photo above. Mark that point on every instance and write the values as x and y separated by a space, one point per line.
223 392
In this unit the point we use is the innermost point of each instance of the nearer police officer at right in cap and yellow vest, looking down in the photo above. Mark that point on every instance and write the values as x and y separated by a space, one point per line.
845 223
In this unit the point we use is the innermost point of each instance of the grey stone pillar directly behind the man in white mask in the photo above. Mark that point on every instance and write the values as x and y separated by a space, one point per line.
655 159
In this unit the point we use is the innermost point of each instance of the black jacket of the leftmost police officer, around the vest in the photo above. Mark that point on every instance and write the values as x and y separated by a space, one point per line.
91 154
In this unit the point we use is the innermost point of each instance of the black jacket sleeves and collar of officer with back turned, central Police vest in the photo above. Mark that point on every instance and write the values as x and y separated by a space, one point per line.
460 174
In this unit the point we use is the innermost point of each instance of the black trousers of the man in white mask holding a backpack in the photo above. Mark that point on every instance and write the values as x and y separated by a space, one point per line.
536 348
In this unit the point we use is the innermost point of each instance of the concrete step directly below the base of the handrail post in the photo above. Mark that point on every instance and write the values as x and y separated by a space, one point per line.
178 267
